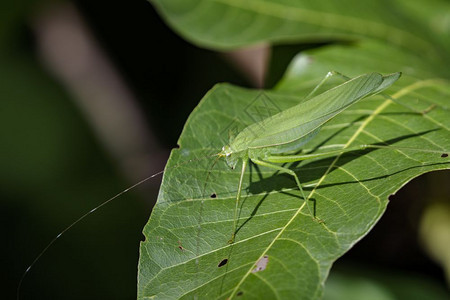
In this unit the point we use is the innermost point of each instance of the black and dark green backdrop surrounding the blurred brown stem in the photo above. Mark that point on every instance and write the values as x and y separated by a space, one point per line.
54 167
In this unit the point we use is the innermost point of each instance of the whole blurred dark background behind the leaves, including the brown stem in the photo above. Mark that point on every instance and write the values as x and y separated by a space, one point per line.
93 97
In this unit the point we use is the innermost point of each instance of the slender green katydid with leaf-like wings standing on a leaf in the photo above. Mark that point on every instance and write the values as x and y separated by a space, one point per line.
264 142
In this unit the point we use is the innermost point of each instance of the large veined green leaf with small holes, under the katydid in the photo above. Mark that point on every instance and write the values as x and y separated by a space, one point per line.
186 254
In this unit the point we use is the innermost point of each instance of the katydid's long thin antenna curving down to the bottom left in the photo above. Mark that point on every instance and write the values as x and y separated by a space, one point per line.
93 210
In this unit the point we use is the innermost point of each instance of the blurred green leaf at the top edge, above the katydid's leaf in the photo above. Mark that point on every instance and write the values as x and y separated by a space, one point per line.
220 24
